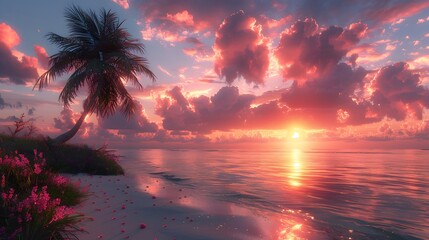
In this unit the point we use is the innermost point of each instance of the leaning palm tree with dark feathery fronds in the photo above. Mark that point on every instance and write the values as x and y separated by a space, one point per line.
101 54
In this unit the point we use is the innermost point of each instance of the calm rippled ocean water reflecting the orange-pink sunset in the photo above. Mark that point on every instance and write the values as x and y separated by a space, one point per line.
358 194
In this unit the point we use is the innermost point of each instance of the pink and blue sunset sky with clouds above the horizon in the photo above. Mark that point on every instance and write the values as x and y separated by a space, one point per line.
239 71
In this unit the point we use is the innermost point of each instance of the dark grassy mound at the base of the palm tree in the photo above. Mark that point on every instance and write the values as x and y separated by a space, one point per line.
64 158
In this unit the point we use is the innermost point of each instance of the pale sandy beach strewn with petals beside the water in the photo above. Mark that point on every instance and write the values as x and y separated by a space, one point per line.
142 207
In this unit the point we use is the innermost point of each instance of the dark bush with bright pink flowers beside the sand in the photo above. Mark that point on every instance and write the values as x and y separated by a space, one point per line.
34 202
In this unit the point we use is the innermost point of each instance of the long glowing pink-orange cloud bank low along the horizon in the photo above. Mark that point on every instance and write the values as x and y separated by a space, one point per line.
334 99
